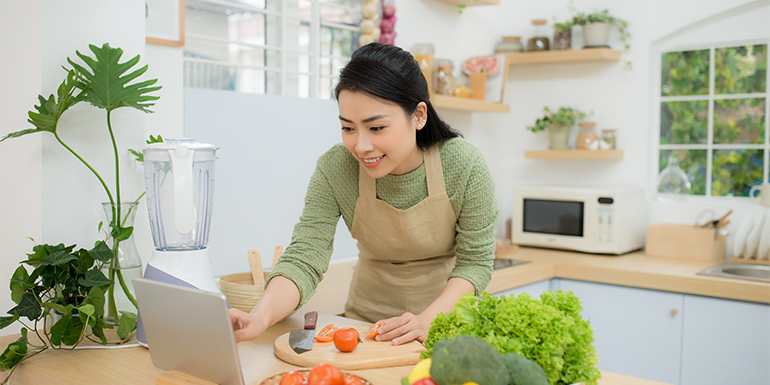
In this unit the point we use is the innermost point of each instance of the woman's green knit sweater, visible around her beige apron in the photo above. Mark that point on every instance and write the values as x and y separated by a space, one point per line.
333 191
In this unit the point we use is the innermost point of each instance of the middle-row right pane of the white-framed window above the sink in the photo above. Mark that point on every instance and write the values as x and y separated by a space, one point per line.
739 121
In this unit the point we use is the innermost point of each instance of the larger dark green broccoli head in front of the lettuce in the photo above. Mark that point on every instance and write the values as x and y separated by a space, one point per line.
467 359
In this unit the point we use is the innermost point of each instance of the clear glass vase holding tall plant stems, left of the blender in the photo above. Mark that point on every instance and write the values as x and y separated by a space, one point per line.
126 267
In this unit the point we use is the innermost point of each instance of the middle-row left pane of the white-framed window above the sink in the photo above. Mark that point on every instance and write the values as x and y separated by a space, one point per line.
684 122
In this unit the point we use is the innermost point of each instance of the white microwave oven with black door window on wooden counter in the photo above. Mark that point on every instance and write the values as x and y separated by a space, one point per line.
591 220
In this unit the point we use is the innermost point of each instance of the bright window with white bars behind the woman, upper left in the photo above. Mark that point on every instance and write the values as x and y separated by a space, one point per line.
282 47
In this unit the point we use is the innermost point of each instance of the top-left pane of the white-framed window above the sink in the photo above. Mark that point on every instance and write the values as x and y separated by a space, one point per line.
685 73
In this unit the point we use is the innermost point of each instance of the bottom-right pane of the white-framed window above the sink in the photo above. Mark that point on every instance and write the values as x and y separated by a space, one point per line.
735 171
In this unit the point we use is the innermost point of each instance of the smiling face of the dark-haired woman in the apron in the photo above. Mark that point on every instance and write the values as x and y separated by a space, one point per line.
379 134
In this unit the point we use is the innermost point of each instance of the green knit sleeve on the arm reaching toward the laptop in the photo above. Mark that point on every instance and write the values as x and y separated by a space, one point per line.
306 258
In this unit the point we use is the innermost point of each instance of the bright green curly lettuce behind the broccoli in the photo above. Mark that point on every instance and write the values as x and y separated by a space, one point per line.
549 331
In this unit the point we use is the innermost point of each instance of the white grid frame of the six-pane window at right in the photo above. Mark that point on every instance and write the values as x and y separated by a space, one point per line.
709 146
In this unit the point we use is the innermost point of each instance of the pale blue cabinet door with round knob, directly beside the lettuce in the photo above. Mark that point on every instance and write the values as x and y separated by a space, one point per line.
637 332
